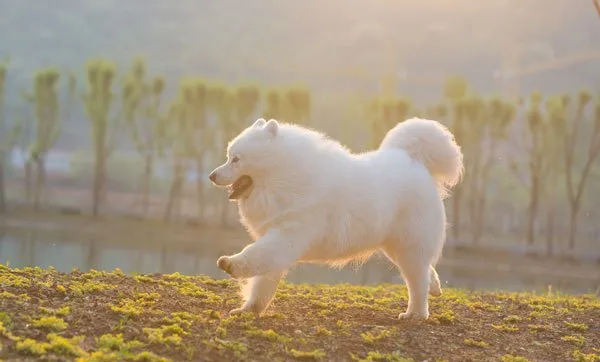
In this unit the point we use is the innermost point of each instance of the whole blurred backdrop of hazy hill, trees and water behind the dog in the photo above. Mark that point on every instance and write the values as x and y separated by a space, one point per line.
113 113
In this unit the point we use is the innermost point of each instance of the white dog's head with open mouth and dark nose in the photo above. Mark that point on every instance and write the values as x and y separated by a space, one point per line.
248 158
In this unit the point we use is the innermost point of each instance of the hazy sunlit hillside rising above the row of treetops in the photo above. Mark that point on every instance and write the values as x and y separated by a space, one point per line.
334 46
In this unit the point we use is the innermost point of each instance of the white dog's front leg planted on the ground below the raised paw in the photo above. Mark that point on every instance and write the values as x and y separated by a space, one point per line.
258 292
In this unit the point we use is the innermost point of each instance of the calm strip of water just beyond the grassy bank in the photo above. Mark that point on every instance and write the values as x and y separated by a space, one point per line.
35 249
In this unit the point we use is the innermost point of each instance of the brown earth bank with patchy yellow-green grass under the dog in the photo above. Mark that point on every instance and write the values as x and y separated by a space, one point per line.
100 316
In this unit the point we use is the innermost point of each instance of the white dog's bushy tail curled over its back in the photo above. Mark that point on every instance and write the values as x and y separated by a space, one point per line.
432 144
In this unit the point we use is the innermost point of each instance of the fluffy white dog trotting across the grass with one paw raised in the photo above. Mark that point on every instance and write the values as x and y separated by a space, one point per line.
309 199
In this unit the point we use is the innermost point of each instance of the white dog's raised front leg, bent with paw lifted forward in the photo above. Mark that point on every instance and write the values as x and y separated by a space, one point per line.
275 252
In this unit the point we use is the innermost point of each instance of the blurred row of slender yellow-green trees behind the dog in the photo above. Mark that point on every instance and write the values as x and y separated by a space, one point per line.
545 149
